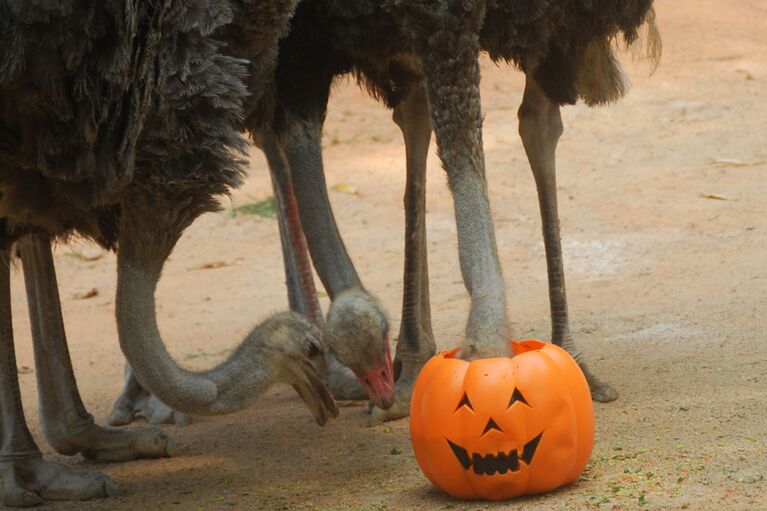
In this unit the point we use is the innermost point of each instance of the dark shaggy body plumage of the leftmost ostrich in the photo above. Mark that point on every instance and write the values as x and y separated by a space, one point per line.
87 87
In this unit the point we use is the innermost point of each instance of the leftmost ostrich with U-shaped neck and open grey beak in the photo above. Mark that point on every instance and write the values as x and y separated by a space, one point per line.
118 124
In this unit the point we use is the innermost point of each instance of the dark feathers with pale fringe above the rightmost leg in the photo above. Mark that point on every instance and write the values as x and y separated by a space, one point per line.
568 45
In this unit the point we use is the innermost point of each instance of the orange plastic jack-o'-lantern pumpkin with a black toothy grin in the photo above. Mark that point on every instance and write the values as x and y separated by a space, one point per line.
498 428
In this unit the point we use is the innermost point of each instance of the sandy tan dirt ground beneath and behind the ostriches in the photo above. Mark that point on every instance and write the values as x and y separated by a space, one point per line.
665 235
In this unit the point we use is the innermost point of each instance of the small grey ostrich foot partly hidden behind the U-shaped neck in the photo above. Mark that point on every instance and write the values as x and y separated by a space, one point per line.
135 401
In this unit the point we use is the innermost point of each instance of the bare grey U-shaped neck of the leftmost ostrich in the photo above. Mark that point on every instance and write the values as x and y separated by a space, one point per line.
230 386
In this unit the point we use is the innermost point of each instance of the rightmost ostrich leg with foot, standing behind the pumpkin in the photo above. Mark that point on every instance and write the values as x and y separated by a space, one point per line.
540 126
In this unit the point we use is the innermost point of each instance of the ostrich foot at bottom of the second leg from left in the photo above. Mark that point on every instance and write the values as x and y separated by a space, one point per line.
112 445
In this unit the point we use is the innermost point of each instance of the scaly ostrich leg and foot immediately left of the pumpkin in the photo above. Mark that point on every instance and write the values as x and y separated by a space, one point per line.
415 344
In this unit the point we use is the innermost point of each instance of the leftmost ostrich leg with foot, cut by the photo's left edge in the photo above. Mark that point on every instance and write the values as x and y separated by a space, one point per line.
28 480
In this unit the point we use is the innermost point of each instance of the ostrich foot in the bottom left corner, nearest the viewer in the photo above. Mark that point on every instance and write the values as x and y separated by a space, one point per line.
30 482
